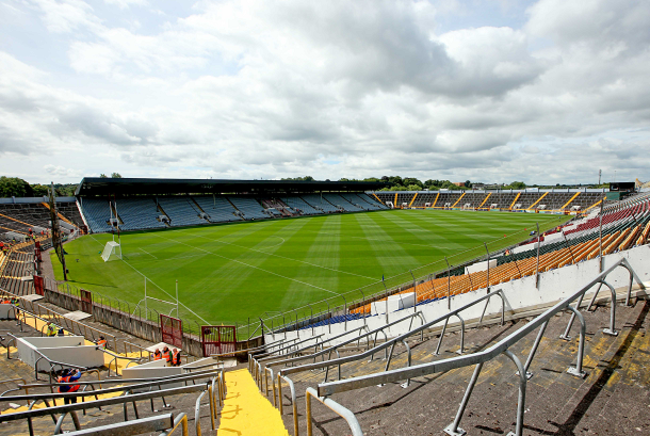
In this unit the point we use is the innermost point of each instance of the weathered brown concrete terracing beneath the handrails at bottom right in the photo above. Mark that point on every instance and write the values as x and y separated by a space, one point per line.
613 399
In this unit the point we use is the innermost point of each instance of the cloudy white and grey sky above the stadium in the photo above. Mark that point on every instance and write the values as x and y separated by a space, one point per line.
546 92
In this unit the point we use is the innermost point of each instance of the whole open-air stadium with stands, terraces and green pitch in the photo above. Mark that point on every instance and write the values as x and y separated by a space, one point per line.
321 307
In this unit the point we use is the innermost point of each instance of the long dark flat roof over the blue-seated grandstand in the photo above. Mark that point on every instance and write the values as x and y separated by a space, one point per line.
108 186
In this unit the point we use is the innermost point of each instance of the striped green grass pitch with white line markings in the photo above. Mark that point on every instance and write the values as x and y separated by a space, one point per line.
228 273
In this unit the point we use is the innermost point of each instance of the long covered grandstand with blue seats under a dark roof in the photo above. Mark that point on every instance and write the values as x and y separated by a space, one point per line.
150 203
